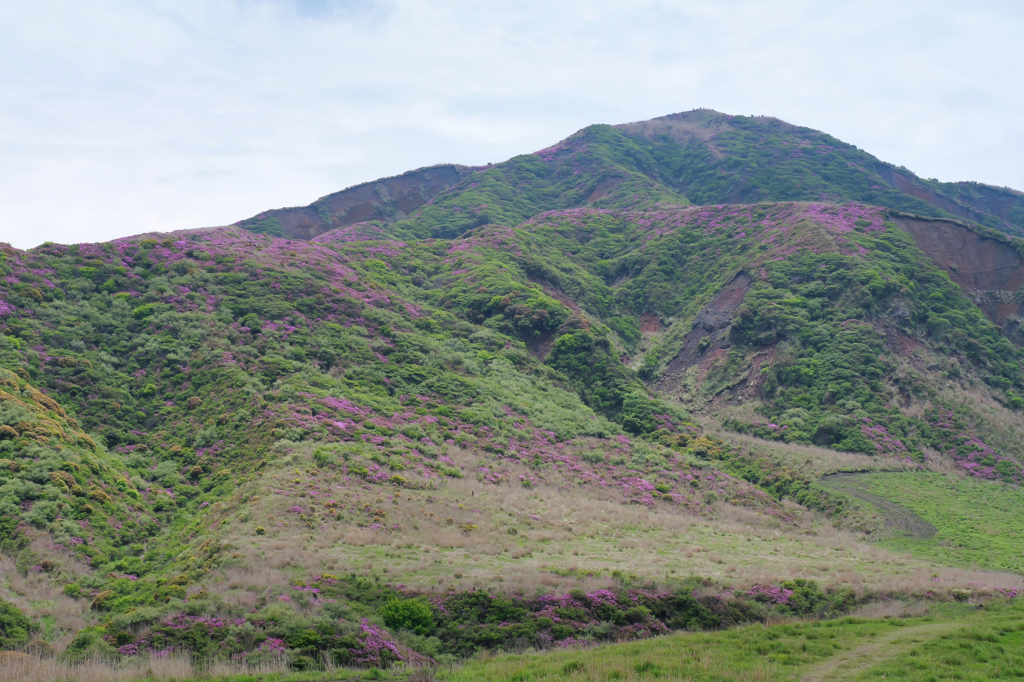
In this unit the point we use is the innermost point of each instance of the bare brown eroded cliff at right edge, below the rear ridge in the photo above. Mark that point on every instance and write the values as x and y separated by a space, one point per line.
989 271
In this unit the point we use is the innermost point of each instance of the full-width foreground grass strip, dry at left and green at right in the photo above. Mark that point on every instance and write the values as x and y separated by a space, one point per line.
954 642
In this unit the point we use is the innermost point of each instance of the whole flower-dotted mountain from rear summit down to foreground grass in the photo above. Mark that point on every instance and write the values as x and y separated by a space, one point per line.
622 370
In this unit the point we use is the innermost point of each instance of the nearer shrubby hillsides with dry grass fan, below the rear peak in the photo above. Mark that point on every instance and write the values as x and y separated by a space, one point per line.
322 408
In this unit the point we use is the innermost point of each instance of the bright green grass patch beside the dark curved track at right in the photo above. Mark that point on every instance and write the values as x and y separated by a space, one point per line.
977 523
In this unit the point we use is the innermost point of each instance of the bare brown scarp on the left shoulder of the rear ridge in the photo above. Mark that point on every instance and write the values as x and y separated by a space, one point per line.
389 199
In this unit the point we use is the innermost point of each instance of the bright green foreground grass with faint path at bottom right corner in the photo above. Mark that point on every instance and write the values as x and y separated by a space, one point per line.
955 643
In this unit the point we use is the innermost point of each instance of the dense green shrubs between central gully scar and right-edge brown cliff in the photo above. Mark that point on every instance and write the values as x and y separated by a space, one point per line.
829 382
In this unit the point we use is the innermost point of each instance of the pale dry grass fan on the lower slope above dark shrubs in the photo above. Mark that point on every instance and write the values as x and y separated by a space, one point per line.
554 537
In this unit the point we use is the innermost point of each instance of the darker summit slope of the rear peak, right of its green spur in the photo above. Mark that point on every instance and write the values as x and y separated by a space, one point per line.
713 158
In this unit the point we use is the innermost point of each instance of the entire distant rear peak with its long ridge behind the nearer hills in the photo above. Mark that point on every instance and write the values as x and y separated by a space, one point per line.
702 157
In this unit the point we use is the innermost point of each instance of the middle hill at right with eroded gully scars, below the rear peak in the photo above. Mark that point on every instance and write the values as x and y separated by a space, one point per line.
830 297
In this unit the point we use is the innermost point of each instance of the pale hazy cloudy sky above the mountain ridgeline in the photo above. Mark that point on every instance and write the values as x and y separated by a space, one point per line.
122 117
